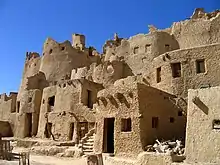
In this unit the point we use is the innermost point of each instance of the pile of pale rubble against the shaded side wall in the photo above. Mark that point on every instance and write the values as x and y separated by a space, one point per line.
171 147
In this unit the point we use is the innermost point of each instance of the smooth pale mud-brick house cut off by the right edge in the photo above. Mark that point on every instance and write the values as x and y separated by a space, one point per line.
203 126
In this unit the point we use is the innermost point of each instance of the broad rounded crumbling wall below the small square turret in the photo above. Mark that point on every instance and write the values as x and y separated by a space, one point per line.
60 59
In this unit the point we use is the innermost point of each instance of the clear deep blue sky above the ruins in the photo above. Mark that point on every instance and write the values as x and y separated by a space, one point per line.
25 24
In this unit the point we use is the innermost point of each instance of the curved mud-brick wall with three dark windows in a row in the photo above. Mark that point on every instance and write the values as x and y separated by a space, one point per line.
189 78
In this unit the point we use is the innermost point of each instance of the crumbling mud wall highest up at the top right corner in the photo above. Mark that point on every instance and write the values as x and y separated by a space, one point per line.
201 29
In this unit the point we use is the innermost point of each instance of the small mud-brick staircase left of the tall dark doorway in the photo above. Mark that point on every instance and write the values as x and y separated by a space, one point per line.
87 142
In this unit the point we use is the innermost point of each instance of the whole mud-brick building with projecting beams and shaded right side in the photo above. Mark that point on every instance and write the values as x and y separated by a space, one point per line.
131 115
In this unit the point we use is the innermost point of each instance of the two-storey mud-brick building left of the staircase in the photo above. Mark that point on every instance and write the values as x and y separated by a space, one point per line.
67 109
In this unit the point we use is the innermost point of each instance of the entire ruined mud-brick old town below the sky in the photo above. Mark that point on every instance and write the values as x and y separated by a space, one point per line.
151 99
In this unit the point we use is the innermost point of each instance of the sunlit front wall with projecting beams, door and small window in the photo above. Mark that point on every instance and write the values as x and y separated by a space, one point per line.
119 102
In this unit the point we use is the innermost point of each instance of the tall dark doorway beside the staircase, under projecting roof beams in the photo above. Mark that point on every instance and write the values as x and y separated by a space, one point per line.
108 139
